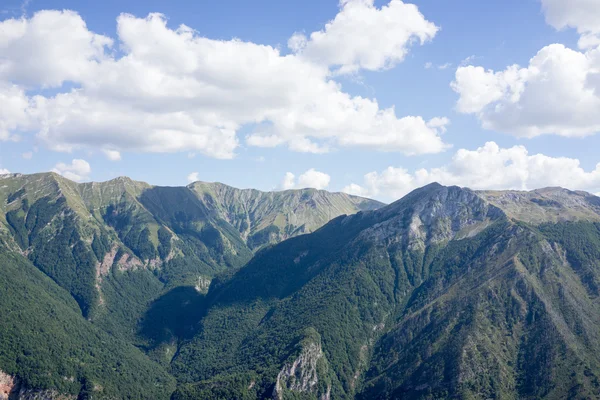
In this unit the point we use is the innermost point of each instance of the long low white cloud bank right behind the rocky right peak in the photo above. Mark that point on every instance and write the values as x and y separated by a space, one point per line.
488 167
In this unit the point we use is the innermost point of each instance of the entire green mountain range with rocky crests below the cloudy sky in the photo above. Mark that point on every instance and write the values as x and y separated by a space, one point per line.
125 290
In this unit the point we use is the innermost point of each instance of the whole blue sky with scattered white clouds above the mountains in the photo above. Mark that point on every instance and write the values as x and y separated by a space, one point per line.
489 34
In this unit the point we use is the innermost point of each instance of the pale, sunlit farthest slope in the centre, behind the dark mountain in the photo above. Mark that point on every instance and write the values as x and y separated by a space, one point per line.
269 217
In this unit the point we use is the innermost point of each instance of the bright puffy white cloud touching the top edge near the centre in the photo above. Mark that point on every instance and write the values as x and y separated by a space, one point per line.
361 36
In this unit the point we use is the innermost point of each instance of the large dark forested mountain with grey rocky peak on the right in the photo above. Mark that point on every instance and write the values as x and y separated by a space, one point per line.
443 294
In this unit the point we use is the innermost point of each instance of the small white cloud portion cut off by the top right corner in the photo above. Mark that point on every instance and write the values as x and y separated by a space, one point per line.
583 15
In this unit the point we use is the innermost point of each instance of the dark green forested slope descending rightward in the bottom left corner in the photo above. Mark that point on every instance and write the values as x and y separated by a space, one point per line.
47 350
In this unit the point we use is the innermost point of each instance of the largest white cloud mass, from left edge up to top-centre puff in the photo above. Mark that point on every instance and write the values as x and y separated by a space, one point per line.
172 90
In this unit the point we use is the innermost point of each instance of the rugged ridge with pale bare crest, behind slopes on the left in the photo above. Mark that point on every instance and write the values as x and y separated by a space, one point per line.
79 234
